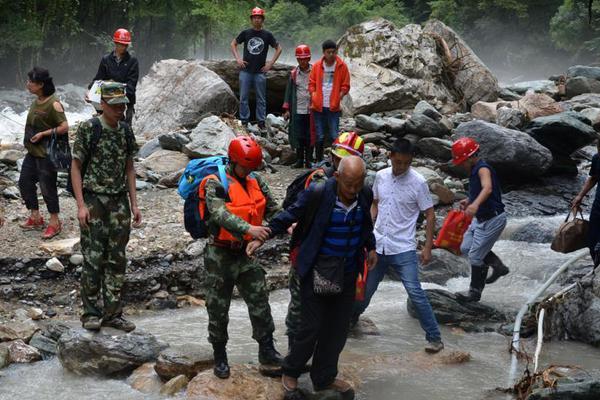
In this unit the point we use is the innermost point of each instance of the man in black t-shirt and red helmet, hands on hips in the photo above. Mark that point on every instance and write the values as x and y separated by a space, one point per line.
253 67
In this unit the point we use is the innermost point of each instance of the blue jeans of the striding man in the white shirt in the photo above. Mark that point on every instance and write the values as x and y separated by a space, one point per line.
406 266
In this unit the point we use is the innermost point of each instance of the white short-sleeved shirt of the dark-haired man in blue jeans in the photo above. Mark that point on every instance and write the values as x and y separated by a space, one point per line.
400 200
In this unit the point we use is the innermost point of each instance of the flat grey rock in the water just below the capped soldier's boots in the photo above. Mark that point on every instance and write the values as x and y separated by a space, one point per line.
86 353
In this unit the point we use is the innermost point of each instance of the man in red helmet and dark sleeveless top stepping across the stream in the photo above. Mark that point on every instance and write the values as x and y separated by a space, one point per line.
485 205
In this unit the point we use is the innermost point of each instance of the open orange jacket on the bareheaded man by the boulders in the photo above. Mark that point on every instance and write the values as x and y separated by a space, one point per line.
341 85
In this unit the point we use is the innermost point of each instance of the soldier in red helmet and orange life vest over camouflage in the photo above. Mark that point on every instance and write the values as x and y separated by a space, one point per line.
235 218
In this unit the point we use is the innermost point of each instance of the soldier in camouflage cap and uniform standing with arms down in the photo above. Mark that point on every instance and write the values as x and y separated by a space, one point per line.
102 175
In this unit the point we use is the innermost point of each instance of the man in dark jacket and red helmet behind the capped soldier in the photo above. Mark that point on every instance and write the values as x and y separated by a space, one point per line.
120 66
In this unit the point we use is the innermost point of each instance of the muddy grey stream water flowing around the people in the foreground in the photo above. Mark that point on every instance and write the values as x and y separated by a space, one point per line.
411 379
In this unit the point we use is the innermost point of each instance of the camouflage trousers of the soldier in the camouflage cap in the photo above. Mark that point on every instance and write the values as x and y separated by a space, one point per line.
103 246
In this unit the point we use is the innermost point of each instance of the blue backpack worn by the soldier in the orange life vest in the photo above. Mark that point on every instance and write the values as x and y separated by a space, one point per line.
189 184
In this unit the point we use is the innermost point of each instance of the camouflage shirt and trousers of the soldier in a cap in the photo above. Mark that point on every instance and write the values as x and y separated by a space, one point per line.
103 243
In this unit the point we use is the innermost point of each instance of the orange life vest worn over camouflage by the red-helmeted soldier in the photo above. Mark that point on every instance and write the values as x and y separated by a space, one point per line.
249 204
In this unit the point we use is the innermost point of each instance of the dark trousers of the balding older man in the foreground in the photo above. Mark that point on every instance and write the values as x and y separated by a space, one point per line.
325 321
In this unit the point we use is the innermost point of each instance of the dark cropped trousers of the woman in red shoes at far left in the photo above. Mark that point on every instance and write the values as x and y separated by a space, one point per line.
38 170
